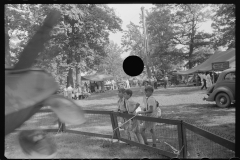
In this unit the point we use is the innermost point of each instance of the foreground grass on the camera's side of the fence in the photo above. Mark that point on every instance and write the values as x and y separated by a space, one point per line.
80 146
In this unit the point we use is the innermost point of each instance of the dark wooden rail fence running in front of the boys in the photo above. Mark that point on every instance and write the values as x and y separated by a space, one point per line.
180 125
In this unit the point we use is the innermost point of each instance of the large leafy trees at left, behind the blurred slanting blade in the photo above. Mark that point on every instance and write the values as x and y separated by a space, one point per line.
77 42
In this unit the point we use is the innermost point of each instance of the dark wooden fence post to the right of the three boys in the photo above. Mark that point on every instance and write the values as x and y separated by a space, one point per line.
182 140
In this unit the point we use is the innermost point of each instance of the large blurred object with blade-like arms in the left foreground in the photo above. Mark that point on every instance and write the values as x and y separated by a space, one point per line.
27 90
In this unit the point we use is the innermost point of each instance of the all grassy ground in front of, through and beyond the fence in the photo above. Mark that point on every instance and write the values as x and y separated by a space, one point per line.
184 103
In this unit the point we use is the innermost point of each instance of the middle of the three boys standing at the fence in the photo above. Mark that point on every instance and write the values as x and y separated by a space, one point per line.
133 125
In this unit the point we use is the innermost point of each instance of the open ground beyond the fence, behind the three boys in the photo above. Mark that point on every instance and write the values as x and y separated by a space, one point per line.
183 103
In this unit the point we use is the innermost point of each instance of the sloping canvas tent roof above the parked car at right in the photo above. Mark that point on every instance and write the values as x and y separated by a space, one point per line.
219 56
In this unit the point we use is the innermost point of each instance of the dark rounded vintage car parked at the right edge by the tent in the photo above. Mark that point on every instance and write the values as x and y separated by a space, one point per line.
223 91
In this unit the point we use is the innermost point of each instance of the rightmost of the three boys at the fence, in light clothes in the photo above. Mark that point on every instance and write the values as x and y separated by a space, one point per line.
151 111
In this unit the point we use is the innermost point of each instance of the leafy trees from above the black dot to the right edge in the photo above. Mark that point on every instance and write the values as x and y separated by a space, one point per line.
175 37
